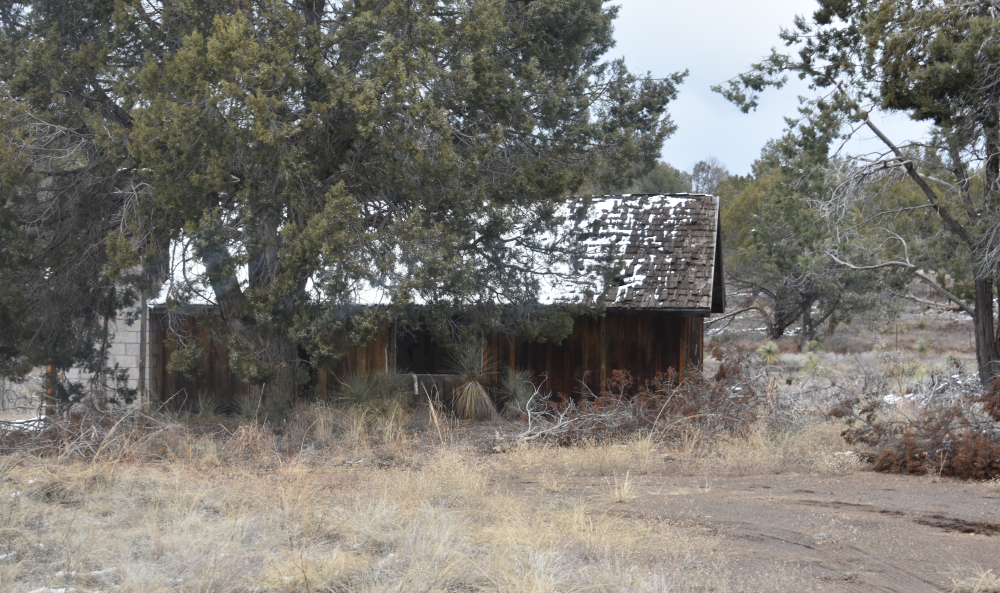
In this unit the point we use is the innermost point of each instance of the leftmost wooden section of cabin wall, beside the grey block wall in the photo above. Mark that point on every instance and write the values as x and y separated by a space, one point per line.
216 379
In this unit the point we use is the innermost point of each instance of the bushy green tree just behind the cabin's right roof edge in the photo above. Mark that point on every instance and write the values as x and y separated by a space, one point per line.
777 247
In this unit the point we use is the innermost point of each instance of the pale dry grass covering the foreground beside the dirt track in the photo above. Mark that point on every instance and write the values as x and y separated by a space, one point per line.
357 501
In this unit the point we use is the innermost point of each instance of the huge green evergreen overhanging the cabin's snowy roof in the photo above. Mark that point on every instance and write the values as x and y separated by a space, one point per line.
313 169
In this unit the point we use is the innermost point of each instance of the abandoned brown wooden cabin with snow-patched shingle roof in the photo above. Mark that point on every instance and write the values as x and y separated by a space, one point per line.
671 279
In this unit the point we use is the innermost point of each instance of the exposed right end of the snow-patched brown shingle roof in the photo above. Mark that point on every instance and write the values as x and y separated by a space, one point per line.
668 248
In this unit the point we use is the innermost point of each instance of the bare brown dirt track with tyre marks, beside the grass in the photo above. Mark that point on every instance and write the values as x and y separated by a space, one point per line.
859 532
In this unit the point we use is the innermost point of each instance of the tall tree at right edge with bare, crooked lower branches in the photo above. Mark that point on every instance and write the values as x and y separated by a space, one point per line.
935 62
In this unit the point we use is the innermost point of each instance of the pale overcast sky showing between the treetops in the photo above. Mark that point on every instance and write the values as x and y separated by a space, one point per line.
715 40
